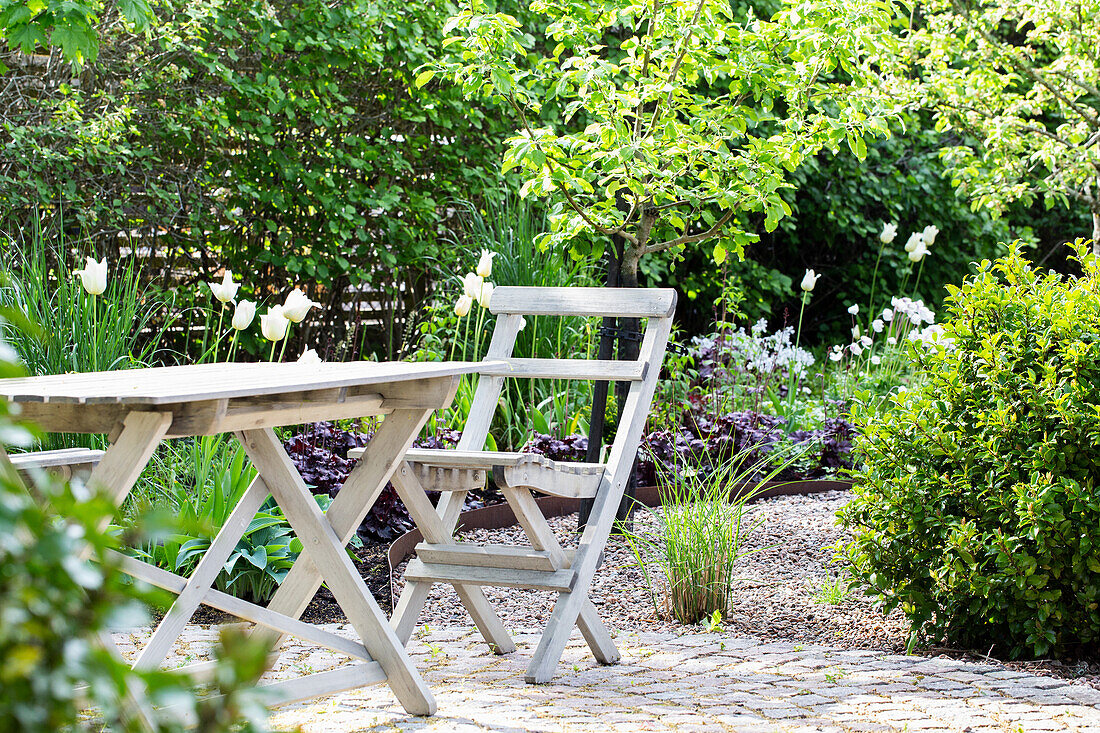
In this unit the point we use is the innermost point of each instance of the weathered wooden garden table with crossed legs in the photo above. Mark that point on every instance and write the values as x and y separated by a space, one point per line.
139 409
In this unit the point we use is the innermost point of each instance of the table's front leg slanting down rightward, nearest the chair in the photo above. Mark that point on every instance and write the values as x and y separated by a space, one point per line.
326 550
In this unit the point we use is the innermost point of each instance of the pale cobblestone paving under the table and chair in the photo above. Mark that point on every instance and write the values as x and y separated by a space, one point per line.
691 683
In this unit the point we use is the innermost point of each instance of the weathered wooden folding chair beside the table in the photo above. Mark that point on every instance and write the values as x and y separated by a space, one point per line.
544 565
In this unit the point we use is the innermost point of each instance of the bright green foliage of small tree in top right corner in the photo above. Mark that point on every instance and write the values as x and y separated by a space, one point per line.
1025 80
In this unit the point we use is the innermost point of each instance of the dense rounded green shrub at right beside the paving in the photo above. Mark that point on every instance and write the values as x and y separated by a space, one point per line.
977 509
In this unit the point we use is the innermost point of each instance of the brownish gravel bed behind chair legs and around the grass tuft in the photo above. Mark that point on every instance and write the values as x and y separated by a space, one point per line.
775 596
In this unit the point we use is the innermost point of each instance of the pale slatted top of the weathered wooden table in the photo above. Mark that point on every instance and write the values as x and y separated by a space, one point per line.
162 386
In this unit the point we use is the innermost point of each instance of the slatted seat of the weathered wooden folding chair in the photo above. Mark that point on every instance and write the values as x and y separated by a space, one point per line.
514 469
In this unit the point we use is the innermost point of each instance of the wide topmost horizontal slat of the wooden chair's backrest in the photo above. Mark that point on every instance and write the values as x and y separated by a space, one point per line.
610 302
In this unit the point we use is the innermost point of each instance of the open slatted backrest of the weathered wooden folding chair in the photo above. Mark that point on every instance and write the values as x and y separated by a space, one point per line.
512 304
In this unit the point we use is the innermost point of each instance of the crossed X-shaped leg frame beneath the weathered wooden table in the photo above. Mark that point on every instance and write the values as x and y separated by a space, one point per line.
325 559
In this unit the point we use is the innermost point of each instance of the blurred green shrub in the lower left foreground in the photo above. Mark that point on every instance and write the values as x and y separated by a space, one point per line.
61 593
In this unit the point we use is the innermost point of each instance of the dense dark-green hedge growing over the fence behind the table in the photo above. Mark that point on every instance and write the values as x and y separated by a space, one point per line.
281 140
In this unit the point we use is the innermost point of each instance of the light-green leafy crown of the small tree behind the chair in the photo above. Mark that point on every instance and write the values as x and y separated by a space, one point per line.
667 124
